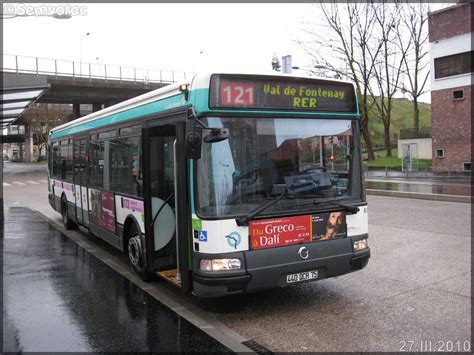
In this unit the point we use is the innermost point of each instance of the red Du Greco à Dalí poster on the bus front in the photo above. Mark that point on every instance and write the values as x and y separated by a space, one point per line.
280 232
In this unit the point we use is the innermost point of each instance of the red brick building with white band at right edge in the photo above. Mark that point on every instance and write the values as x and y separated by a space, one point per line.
451 38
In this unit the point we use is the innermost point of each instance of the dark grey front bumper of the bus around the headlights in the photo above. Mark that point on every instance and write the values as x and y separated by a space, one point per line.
269 268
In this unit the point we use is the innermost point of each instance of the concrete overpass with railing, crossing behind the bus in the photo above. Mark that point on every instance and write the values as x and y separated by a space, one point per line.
76 83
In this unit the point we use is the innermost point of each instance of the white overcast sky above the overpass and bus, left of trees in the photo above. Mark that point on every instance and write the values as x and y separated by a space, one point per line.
181 37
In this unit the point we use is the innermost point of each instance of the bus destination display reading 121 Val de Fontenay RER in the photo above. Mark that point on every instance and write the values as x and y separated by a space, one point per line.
277 93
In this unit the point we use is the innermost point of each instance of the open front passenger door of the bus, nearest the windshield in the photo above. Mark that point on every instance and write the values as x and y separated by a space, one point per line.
167 208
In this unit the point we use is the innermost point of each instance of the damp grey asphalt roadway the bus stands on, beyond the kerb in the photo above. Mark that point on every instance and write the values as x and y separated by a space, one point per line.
416 289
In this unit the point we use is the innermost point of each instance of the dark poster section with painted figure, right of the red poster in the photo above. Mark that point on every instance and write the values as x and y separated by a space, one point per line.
329 226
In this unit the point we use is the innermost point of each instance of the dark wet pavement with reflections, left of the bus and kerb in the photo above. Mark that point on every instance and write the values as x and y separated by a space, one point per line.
58 297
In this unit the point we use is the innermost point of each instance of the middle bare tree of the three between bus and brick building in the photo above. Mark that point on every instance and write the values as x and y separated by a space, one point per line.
388 64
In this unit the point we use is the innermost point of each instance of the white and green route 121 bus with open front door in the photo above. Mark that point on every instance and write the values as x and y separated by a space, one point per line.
227 184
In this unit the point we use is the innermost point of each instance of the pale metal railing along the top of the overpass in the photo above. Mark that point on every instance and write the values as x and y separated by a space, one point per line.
58 67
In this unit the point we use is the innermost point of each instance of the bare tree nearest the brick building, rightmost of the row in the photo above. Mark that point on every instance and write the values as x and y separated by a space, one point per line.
416 62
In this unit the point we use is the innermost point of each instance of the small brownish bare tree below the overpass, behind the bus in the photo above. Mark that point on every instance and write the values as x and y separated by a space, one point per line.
42 118
